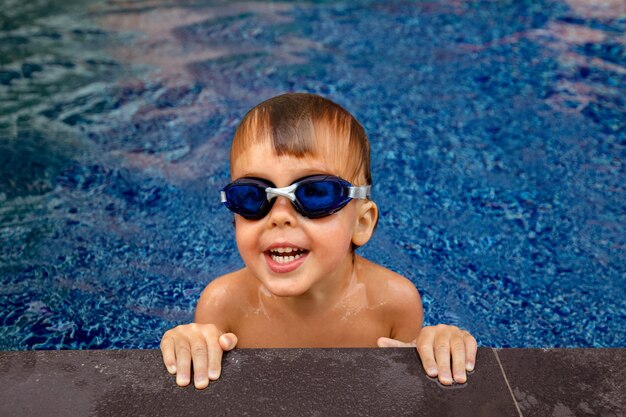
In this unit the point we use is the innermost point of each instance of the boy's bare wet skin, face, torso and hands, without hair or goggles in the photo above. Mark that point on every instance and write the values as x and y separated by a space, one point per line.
304 287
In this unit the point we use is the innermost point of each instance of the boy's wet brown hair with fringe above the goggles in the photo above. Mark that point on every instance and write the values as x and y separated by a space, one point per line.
301 124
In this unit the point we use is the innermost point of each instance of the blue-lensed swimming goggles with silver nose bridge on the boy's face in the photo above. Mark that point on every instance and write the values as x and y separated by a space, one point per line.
314 196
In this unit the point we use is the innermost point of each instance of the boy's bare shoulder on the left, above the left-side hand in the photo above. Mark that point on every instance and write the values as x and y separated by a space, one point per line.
222 298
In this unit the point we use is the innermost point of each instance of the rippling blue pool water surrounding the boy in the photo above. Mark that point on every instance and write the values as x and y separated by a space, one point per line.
498 132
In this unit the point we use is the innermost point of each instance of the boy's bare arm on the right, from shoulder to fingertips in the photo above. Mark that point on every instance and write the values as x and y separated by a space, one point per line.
436 345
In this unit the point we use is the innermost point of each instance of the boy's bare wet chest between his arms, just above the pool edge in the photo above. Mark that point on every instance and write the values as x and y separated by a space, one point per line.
344 328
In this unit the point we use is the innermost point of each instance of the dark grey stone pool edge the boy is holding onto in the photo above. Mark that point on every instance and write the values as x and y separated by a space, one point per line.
506 382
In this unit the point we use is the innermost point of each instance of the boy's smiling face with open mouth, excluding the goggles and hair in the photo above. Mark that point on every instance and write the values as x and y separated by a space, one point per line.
290 254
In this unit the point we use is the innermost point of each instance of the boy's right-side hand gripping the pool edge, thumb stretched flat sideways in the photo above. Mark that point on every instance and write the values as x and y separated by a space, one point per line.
435 345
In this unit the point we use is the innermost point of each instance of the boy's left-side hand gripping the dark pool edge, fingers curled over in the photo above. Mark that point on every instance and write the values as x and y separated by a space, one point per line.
201 344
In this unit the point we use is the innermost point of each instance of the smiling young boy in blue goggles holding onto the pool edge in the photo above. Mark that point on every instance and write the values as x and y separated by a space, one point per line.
300 166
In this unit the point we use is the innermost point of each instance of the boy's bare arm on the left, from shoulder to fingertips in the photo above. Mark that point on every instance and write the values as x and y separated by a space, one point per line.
203 341
